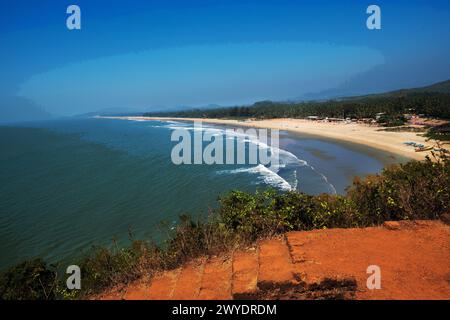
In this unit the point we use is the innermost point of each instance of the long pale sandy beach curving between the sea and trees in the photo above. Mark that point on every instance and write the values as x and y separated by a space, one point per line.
372 136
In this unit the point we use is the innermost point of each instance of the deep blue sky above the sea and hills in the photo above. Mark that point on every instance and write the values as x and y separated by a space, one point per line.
145 55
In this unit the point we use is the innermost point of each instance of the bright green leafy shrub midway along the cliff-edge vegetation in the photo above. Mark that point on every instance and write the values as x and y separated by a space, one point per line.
267 213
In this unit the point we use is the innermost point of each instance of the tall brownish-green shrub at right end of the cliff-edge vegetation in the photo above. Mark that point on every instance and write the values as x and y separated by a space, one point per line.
415 190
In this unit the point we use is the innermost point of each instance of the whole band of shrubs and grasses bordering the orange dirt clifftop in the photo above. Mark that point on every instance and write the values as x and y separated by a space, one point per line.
415 190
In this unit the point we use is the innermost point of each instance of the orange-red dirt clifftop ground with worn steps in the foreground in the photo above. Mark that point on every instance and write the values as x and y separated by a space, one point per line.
414 258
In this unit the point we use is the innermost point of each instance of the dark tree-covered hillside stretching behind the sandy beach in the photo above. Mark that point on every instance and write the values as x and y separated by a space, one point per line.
433 101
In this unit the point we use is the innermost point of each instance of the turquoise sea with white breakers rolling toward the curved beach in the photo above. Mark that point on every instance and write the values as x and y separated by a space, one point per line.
69 184
